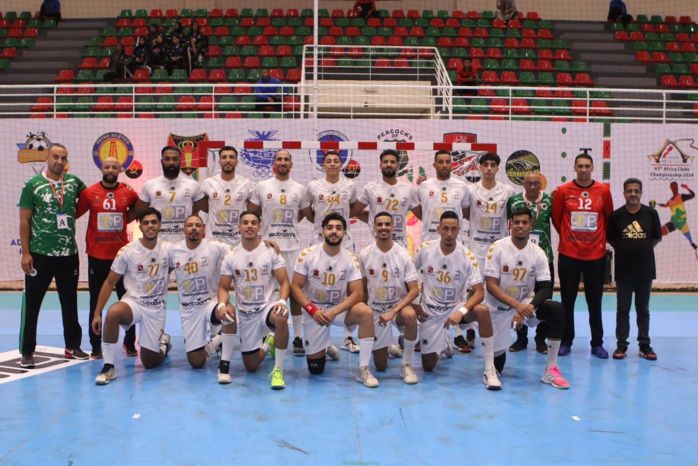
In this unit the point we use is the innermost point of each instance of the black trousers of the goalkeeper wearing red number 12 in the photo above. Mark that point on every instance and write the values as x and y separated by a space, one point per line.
594 272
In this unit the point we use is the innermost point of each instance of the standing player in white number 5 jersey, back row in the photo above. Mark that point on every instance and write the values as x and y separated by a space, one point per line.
436 196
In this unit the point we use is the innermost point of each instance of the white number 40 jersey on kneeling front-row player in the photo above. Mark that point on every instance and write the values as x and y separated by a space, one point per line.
197 272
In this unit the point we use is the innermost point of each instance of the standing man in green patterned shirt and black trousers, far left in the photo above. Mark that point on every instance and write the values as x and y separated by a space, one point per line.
47 232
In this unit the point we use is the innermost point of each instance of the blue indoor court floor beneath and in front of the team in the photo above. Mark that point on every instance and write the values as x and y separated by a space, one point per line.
625 412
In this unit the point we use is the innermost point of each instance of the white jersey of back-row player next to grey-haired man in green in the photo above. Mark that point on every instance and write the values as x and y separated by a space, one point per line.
488 217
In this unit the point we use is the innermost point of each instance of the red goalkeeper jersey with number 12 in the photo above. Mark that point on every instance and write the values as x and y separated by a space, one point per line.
580 216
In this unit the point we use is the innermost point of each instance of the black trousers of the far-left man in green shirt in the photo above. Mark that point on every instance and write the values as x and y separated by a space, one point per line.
65 269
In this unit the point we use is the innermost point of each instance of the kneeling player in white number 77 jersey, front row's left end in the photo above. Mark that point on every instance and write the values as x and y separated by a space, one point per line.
144 266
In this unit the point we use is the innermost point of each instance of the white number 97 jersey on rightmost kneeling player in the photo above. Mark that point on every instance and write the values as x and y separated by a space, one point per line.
518 270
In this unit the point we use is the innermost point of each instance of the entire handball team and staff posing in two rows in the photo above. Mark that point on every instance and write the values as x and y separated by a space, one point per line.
485 266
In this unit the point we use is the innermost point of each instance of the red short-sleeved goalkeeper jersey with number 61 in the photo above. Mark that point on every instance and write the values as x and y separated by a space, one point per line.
106 228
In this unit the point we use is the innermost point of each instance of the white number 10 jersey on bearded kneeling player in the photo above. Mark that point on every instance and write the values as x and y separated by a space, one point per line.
327 277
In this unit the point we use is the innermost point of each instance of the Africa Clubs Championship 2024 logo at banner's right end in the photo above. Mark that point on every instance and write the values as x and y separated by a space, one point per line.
672 161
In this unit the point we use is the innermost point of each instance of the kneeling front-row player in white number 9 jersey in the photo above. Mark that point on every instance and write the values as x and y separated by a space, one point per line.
390 281
